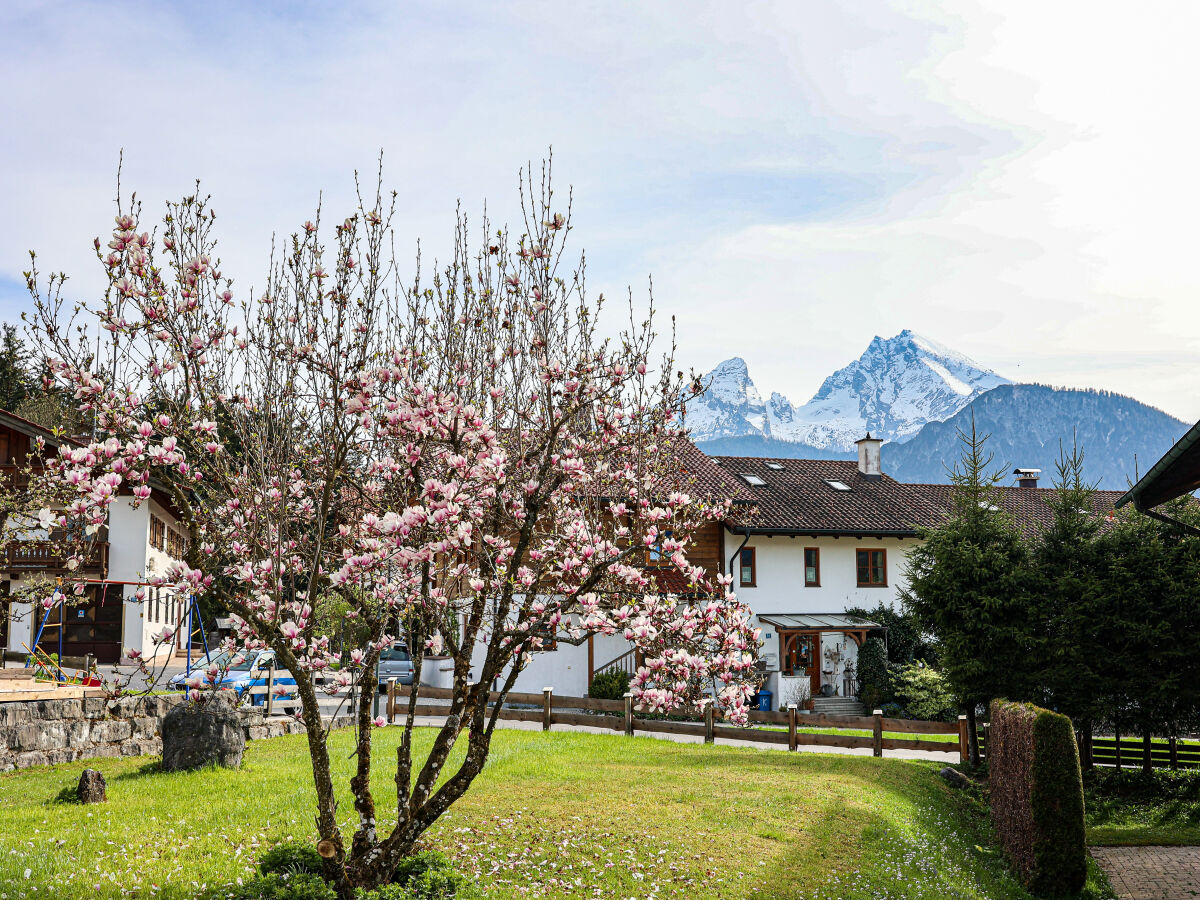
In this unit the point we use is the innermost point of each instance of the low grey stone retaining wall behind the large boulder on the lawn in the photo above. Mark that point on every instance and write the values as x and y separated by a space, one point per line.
51 731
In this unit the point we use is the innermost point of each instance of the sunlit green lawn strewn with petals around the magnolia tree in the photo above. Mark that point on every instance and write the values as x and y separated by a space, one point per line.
554 817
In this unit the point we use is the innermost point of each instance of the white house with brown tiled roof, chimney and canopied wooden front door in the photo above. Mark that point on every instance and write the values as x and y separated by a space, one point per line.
825 537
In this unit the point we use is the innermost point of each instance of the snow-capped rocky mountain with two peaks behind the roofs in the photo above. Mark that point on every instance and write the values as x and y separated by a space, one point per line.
892 391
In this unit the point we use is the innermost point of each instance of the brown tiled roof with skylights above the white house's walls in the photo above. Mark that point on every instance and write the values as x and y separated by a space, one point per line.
797 499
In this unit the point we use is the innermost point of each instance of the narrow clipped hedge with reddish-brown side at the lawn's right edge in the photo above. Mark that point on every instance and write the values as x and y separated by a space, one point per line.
1037 797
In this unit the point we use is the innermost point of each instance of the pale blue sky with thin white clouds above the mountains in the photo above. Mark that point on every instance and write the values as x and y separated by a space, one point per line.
1017 181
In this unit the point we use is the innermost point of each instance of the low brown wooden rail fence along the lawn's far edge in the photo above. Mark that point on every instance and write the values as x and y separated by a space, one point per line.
583 712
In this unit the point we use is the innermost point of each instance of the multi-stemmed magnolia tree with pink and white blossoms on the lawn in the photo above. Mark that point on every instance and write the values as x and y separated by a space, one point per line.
466 464
